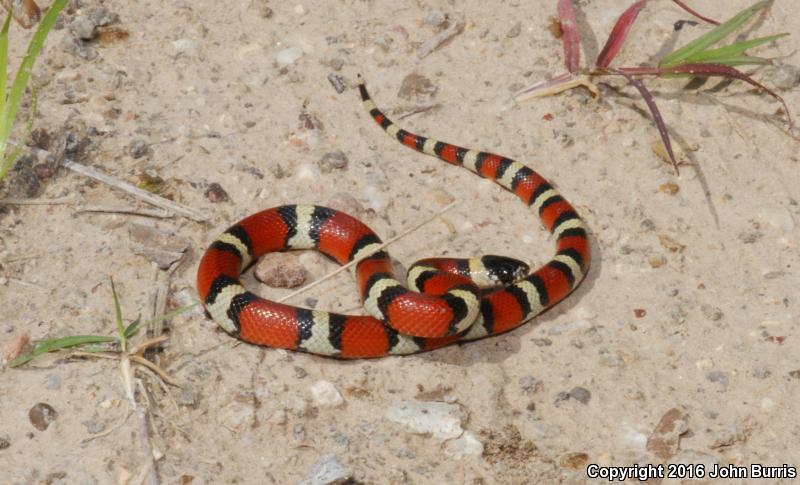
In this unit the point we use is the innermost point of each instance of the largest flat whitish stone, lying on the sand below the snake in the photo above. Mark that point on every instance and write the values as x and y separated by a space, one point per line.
441 420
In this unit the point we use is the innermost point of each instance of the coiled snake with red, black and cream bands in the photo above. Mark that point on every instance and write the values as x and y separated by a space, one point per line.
449 306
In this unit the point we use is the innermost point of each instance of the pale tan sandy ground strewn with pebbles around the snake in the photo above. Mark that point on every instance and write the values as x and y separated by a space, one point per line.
680 347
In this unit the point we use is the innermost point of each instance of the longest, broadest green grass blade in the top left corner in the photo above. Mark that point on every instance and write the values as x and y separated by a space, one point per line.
24 71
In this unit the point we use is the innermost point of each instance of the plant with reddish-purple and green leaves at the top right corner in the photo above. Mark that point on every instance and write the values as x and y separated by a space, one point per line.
696 59
